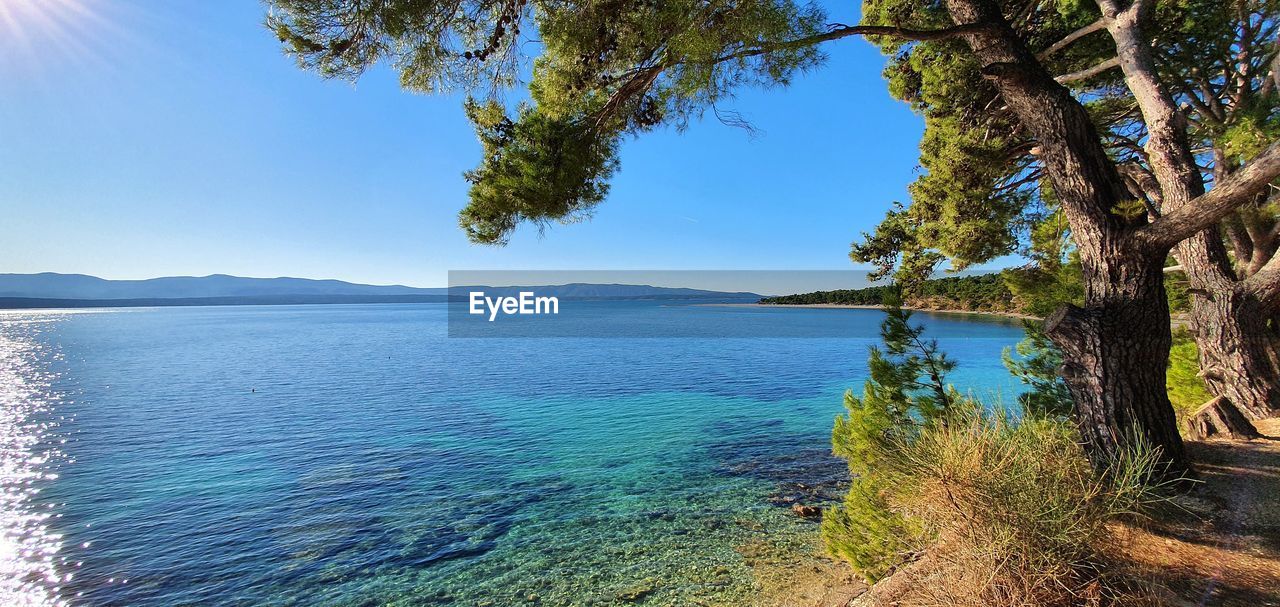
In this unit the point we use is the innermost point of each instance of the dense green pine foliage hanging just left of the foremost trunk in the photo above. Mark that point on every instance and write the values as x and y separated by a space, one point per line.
981 185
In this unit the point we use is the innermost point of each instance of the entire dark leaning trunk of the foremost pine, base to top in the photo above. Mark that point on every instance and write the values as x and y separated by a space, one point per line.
1117 346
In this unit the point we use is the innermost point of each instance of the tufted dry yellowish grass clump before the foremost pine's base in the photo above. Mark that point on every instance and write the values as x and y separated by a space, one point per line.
1020 517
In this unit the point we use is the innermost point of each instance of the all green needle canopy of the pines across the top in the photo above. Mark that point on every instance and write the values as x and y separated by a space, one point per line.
607 70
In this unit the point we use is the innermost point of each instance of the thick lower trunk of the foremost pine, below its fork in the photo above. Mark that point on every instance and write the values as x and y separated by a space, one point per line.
1116 353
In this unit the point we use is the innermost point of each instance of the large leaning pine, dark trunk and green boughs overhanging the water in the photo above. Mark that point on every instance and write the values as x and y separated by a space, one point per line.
988 75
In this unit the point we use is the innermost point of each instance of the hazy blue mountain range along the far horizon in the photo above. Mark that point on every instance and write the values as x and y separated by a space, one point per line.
52 290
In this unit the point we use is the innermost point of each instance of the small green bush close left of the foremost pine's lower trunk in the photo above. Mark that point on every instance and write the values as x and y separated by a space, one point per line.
1035 362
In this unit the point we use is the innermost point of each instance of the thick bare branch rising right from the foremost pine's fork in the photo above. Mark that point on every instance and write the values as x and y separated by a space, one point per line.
1208 209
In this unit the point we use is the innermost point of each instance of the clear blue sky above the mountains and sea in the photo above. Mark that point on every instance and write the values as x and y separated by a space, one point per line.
144 139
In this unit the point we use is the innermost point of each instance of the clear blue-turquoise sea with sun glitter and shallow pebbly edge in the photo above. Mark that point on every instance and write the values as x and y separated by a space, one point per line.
355 455
